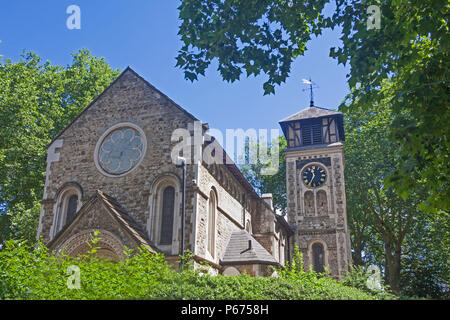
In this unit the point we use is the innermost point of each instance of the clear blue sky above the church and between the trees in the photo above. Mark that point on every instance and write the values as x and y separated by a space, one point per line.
142 34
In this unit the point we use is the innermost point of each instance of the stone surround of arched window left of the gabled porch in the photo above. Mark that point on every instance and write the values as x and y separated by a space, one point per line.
60 207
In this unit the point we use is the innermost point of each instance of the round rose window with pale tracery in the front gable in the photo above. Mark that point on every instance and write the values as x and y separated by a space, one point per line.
120 151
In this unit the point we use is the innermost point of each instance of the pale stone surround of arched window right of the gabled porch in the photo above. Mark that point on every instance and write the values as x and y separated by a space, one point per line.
155 212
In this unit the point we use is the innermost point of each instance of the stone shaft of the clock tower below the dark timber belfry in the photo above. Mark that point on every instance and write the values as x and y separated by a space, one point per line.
327 225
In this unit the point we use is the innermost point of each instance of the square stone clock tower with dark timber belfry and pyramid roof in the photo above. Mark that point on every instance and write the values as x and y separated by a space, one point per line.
315 188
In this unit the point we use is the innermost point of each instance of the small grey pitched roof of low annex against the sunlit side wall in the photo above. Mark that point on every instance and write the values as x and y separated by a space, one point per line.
238 251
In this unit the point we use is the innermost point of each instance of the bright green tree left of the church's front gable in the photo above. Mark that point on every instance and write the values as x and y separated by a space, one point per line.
37 100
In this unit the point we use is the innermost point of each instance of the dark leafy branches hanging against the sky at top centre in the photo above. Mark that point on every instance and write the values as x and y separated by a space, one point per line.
251 35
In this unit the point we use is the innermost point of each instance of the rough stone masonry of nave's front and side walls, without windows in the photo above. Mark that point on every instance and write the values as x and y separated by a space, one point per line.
131 99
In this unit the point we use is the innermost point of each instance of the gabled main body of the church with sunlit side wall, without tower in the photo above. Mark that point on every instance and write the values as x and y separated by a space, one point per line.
121 144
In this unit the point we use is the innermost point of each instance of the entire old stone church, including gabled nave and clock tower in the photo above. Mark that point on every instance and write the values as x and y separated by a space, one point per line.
111 170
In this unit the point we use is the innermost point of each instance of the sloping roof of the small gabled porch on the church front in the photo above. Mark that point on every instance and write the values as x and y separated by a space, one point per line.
117 213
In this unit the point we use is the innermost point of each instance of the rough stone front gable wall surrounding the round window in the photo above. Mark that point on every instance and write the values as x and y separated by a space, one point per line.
128 99
